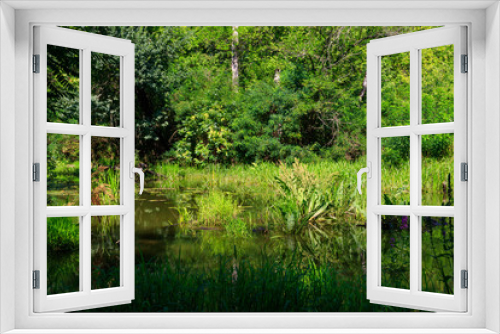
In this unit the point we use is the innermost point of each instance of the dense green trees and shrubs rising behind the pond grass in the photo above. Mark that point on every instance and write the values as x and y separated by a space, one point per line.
300 92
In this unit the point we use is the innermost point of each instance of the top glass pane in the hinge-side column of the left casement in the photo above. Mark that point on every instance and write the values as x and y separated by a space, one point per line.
63 85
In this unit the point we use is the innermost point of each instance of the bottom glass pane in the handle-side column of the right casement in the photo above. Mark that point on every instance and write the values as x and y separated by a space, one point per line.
396 252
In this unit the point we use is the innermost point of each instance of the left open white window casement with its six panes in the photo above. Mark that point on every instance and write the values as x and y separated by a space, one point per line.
88 130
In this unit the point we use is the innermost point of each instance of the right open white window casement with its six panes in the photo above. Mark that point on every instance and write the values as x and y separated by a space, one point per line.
412 125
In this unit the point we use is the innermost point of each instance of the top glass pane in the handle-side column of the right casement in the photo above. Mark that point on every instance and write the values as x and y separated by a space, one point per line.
395 89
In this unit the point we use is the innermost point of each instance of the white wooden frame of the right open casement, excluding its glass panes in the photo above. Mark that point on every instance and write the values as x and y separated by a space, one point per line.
415 297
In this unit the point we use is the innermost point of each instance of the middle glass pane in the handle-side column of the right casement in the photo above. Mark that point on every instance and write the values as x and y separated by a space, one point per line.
395 180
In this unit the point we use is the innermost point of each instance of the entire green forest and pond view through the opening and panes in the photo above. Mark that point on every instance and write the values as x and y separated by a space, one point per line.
251 138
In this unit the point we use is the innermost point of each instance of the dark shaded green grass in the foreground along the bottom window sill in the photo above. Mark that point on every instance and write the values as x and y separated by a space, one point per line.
267 286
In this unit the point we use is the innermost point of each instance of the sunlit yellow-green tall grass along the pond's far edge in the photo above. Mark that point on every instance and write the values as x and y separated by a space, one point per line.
255 189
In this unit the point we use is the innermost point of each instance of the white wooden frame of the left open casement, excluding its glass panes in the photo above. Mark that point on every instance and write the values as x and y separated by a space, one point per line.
86 43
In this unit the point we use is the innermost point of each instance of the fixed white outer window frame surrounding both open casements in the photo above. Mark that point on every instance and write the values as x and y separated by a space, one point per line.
484 103
